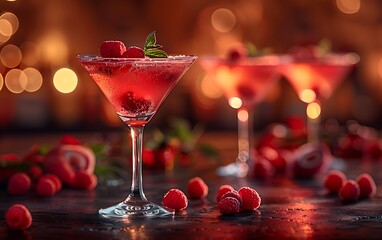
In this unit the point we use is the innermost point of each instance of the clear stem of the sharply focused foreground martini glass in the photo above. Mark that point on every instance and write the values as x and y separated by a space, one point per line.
136 182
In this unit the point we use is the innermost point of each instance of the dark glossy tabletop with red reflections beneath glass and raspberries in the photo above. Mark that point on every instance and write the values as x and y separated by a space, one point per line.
290 209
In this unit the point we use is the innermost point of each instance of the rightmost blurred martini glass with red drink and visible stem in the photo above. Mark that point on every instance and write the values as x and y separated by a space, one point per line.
315 78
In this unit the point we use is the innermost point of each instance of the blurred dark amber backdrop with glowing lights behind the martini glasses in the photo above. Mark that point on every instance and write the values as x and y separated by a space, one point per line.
44 88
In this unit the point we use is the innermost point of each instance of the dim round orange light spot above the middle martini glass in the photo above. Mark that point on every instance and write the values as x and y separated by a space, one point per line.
223 20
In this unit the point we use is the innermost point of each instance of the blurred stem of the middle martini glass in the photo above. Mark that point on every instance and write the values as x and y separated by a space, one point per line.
245 140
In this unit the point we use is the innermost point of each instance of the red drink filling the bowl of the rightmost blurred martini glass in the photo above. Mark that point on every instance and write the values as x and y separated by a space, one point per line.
322 75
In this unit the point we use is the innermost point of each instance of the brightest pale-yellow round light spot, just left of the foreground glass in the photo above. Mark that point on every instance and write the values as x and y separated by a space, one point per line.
65 80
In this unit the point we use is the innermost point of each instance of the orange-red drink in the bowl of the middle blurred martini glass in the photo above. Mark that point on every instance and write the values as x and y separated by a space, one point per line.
248 79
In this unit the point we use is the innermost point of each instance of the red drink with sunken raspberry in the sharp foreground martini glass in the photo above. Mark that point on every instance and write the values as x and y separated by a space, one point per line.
136 87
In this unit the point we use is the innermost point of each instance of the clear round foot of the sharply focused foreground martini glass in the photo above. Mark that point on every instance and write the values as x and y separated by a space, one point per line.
126 209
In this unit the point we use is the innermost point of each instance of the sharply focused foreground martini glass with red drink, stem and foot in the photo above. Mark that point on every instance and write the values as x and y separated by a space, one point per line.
136 87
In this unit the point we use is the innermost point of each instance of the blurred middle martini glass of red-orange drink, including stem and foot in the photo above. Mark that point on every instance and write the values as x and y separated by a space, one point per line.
245 82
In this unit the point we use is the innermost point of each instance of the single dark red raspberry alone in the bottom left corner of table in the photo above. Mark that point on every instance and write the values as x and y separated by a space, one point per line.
18 217
